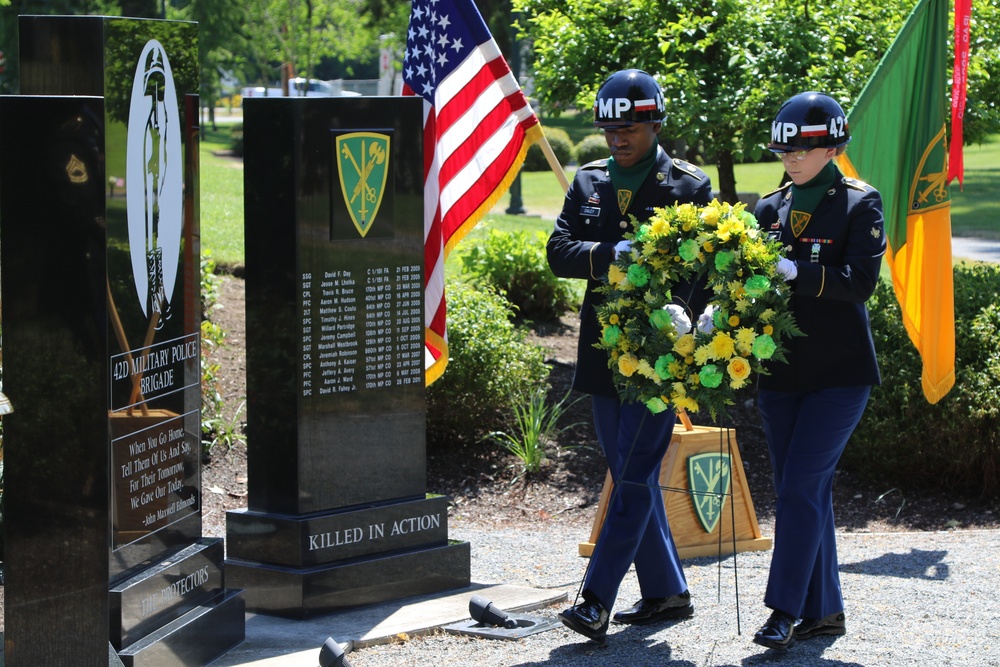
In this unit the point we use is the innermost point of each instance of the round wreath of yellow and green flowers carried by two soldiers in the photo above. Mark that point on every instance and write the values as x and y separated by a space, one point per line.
657 365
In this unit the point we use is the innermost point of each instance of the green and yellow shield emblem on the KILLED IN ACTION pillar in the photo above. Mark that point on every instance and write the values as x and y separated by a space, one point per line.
363 163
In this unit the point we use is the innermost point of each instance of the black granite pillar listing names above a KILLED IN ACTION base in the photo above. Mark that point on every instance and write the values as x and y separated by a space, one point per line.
338 513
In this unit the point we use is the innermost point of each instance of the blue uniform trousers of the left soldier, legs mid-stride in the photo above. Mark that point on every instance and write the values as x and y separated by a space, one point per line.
635 529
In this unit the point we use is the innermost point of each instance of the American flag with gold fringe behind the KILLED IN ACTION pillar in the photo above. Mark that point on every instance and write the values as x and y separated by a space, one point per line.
477 128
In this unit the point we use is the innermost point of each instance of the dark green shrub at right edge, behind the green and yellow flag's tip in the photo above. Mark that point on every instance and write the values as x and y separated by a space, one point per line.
952 445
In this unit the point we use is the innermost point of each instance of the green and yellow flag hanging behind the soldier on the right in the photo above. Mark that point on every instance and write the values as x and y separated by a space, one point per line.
898 146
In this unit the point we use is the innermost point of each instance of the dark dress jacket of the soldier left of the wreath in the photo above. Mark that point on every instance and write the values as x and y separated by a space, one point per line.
585 234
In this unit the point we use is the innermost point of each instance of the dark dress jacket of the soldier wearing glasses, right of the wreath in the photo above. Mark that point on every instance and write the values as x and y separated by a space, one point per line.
838 256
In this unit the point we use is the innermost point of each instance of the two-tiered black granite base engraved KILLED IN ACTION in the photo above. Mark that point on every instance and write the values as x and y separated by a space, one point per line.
298 566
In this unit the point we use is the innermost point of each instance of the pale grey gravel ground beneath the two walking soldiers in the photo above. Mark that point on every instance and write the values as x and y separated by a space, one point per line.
912 599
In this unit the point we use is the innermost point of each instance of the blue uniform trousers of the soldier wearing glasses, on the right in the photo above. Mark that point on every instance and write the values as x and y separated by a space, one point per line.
806 434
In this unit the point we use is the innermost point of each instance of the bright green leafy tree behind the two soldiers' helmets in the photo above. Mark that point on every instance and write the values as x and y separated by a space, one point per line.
726 65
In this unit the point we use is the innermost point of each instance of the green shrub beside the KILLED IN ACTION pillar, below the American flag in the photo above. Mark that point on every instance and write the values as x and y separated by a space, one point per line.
489 359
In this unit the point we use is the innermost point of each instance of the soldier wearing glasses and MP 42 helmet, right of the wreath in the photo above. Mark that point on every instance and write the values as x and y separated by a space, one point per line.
832 228
